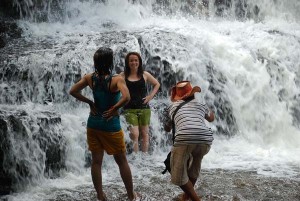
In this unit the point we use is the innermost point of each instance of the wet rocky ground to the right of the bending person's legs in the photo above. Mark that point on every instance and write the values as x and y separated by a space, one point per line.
239 185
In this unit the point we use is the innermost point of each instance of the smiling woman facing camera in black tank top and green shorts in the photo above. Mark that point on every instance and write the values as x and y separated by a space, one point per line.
137 111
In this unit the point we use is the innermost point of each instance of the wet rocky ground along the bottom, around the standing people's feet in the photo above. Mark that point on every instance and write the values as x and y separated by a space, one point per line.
214 185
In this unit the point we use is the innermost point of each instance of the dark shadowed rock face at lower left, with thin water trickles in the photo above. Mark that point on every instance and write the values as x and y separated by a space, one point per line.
30 147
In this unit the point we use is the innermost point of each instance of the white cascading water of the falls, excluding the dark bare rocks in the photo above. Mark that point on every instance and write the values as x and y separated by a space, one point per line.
248 71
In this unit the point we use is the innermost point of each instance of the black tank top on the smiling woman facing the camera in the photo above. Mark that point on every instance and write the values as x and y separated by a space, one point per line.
138 91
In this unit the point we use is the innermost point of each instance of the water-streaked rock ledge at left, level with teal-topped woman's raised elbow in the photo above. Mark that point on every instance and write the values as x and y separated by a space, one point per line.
15 76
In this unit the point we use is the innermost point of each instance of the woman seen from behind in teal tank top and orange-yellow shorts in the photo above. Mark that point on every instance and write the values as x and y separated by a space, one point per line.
104 131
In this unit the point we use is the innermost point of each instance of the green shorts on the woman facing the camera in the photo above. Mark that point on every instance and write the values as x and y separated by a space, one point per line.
137 117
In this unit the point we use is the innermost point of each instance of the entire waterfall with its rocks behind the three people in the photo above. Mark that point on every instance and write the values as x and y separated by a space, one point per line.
244 54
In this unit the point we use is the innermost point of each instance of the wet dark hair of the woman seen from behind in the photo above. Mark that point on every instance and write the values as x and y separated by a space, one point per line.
103 60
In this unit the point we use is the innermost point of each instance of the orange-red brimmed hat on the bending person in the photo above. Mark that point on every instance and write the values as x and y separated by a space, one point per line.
182 90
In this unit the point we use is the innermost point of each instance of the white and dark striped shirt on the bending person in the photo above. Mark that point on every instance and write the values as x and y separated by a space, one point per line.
190 124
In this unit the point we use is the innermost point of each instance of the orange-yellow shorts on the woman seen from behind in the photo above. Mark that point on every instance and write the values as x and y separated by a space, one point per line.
111 142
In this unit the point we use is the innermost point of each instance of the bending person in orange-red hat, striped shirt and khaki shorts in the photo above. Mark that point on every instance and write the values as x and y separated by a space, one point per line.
192 138
